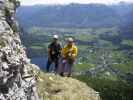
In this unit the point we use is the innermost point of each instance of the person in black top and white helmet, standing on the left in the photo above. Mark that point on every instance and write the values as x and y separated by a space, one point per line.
54 52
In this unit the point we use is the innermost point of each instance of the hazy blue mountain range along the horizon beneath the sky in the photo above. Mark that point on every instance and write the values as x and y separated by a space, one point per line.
73 15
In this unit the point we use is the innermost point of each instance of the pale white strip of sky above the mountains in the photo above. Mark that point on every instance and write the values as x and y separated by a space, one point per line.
33 2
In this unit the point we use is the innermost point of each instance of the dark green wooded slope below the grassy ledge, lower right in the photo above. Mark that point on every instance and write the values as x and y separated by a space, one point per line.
109 90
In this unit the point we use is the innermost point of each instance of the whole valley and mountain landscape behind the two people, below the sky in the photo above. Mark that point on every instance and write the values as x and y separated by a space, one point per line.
105 47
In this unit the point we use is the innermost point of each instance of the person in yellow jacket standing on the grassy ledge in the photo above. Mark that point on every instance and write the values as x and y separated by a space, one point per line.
69 54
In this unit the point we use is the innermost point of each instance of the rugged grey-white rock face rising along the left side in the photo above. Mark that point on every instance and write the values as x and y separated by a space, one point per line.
17 81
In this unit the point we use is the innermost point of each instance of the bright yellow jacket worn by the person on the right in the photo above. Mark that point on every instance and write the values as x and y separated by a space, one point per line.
69 51
